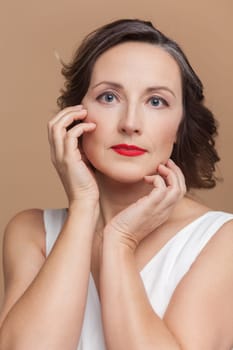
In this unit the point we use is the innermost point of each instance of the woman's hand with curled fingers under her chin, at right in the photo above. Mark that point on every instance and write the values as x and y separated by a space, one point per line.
140 219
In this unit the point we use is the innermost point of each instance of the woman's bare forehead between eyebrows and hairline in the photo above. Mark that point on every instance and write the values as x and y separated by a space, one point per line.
141 62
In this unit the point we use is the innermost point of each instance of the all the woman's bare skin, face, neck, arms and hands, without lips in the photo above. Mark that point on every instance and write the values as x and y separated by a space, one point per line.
121 211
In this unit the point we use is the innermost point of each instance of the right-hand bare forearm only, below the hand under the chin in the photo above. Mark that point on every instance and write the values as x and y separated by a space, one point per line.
129 320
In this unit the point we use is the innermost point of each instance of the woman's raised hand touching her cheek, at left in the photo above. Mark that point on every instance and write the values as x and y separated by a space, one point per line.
69 161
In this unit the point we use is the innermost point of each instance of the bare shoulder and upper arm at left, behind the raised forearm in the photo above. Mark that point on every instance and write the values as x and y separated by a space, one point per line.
23 254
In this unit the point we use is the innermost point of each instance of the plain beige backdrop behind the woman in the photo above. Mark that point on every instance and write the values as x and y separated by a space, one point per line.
30 81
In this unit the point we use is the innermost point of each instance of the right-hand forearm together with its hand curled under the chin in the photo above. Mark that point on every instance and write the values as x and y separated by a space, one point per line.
128 318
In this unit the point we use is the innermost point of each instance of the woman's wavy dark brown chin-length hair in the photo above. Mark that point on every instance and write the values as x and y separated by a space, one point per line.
194 151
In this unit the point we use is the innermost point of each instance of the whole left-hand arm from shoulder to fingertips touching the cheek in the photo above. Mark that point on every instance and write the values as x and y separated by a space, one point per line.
45 299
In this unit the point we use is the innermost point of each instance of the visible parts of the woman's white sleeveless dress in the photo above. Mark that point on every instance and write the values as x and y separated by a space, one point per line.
160 276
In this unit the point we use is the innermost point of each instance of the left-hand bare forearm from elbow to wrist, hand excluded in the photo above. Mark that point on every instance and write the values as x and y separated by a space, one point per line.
50 312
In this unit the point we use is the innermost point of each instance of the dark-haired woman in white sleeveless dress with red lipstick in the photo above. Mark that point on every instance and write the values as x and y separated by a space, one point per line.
134 262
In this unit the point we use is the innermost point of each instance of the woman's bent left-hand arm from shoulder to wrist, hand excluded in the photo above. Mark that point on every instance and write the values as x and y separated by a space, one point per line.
45 299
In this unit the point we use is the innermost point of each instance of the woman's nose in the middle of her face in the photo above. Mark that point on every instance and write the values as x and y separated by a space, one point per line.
131 121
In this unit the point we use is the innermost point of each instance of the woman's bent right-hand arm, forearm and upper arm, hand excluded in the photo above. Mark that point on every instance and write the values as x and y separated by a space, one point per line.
200 313
